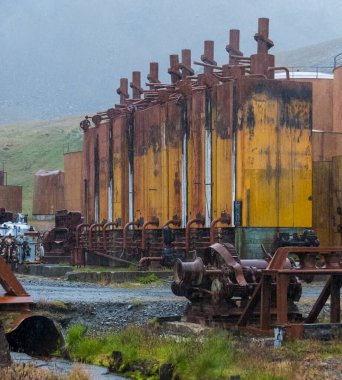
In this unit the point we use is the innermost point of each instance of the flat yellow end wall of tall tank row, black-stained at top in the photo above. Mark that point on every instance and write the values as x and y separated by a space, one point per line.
273 153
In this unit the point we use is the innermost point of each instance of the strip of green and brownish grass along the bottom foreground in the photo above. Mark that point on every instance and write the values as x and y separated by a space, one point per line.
140 352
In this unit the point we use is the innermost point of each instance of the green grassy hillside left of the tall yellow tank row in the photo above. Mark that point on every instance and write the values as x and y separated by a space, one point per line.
27 147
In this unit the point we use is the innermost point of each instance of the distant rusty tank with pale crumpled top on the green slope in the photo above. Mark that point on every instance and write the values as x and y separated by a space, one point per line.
48 195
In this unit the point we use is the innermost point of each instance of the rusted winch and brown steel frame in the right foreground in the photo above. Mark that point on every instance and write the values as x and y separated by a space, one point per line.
258 295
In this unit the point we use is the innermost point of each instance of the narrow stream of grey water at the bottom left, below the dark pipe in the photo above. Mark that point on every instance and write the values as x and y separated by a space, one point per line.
63 366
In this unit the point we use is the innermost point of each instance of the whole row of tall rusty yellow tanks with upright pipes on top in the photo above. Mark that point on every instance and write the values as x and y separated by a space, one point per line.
221 142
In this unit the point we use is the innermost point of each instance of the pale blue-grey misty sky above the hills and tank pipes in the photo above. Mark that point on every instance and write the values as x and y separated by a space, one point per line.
65 57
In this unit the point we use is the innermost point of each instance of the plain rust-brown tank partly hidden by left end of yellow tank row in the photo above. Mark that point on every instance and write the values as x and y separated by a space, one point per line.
73 180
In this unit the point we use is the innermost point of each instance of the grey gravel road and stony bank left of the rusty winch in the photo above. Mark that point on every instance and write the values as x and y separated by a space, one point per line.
102 308
